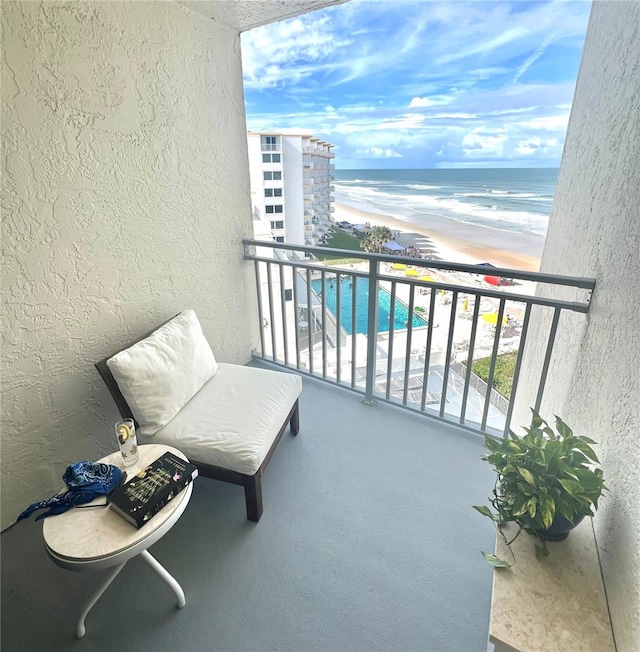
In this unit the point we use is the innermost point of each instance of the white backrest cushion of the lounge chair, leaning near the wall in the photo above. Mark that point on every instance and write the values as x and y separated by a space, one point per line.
159 375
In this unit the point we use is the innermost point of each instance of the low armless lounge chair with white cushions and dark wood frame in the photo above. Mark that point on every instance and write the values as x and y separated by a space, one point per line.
227 419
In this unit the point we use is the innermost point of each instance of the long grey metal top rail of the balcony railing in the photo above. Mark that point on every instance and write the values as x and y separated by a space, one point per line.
538 277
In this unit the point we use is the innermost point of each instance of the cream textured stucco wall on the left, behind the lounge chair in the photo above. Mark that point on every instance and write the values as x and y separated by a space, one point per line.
125 197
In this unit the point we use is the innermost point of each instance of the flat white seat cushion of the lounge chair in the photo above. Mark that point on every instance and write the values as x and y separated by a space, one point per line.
234 418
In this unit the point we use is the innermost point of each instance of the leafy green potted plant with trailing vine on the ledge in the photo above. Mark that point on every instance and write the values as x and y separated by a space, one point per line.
546 483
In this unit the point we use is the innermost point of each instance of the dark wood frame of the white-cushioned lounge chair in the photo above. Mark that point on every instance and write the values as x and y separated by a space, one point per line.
252 483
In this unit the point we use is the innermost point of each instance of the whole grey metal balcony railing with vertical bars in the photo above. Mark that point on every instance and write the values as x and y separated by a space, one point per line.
407 330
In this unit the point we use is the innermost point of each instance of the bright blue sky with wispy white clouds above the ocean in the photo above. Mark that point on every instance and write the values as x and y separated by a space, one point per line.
420 83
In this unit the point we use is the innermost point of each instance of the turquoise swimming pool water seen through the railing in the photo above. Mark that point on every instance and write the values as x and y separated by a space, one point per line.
401 312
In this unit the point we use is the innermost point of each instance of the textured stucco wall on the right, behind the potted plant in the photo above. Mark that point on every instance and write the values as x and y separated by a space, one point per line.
594 231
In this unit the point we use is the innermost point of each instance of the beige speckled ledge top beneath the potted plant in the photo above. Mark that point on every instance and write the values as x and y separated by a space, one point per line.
555 604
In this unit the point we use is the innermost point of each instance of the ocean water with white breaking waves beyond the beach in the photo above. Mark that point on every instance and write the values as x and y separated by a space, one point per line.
508 199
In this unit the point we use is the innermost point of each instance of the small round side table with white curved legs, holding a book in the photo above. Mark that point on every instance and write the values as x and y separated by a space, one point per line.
83 539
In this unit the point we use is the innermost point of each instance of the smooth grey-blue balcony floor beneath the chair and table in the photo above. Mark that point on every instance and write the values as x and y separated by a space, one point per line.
367 542
